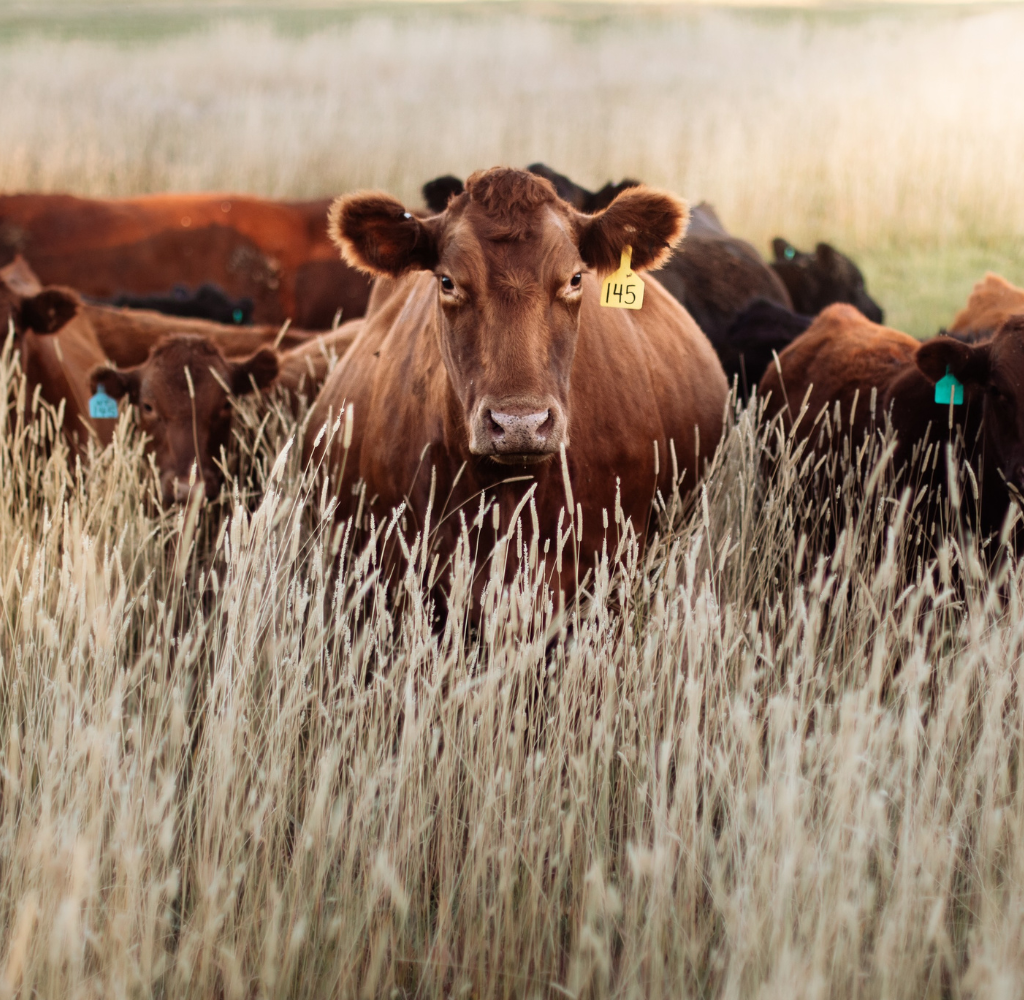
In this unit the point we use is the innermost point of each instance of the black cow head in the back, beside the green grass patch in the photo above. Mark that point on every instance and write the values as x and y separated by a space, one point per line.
819 280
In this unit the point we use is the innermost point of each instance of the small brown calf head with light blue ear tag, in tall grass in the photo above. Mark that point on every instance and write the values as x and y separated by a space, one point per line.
182 395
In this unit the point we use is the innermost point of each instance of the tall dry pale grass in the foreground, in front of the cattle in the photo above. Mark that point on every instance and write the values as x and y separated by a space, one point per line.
736 769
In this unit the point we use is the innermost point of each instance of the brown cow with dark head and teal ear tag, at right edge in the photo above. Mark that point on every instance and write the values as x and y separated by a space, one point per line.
843 357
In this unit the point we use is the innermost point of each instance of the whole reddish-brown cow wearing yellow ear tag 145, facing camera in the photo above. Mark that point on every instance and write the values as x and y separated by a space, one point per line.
491 355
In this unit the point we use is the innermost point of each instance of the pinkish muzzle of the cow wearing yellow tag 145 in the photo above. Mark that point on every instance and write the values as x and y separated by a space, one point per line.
515 432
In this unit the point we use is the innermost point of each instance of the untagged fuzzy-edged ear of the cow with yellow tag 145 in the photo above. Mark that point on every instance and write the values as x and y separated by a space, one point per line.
376 235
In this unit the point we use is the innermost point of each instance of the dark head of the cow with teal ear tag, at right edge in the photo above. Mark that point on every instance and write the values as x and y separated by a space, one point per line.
997 369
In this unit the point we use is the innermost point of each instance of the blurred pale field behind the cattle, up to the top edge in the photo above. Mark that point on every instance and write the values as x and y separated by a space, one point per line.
895 133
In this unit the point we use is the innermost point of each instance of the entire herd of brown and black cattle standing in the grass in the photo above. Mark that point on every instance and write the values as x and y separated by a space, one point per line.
475 358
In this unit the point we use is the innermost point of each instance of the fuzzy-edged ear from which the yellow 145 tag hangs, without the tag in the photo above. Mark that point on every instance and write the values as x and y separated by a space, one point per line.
651 222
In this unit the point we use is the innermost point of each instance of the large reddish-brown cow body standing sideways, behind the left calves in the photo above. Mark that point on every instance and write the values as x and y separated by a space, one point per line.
277 254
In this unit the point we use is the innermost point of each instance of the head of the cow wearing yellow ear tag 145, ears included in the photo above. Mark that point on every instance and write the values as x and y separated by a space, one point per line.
509 257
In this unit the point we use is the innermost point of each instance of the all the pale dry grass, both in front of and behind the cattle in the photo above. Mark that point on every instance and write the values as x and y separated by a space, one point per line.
739 767
